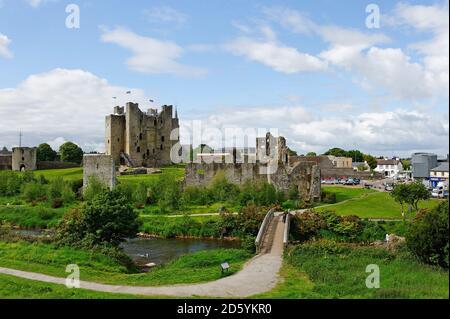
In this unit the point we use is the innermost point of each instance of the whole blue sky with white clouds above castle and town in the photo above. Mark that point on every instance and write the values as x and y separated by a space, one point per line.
321 73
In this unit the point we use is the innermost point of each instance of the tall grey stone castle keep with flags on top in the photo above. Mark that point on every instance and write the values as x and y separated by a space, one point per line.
135 138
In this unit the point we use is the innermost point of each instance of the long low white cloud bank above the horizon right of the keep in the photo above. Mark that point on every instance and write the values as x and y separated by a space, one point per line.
399 132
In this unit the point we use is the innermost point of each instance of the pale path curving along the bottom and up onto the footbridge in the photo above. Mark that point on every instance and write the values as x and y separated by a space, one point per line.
258 275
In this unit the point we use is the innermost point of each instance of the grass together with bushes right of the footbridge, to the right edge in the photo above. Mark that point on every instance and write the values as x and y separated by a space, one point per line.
332 254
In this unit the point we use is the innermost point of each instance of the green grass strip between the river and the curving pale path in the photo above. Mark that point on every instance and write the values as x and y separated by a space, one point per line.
201 266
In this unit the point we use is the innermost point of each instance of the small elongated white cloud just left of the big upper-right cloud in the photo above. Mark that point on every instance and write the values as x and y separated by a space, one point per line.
268 51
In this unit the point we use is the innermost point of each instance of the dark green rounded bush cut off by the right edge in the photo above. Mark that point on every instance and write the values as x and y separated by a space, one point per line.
428 235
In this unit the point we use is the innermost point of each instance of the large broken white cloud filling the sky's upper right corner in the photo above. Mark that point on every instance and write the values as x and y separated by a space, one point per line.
377 68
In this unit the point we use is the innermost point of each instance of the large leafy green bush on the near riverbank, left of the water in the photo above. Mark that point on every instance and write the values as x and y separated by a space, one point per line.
107 219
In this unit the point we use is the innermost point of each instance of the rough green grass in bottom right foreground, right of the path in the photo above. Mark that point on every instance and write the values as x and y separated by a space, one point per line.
318 274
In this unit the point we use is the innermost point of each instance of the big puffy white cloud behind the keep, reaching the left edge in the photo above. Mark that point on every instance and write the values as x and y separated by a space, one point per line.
60 105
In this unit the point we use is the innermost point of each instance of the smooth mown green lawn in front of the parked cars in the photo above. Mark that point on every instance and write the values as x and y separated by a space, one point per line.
374 205
